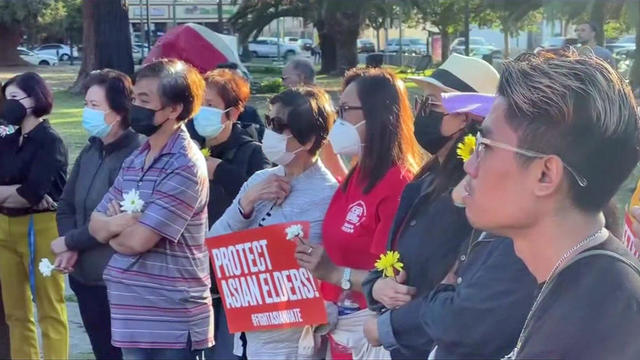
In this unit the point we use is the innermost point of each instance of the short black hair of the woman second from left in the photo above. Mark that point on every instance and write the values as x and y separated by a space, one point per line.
118 89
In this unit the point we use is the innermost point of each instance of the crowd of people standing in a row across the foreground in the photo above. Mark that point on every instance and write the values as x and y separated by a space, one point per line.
493 189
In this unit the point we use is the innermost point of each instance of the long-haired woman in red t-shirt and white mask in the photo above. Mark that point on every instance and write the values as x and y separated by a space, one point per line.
375 124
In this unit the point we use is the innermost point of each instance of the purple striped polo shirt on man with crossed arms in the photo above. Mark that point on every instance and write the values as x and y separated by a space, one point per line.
160 297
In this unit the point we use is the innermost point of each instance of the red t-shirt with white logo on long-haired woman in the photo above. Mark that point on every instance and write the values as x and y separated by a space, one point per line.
356 227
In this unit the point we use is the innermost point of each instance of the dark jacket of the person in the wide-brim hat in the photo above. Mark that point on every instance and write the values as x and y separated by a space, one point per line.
428 233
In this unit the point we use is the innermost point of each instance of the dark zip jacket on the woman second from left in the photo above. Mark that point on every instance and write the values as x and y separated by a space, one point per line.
93 173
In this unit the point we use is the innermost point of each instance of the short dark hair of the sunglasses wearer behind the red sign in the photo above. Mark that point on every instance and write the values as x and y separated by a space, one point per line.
311 113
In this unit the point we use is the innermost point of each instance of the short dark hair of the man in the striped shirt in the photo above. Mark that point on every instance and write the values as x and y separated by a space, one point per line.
180 83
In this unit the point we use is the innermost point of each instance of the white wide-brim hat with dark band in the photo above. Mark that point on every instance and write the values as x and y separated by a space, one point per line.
461 74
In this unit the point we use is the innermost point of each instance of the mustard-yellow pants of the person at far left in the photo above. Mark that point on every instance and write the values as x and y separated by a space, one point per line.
16 293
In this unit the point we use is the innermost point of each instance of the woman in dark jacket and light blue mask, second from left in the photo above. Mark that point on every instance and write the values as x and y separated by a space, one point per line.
106 120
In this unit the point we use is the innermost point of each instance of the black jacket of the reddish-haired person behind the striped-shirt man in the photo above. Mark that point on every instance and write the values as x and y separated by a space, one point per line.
241 156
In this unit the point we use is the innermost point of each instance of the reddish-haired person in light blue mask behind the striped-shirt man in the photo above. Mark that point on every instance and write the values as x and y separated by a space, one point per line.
232 157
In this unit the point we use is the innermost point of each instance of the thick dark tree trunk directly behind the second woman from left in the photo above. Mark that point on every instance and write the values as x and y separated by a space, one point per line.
106 39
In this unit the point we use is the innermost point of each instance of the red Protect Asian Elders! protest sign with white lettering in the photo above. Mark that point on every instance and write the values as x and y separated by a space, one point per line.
261 284
